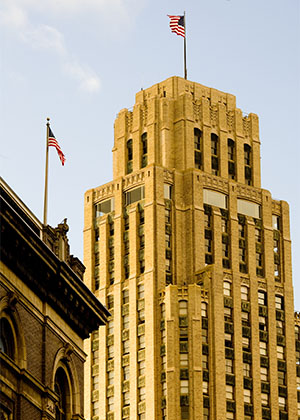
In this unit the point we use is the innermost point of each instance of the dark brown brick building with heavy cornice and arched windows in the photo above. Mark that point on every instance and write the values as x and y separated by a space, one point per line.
46 312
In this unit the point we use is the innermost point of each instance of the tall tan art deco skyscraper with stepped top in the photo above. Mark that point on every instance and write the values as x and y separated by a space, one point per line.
193 260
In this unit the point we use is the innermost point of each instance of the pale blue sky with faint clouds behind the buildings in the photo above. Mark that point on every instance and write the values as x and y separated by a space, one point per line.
79 62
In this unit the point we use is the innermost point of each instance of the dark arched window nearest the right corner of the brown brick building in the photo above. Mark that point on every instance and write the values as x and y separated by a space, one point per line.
62 389
